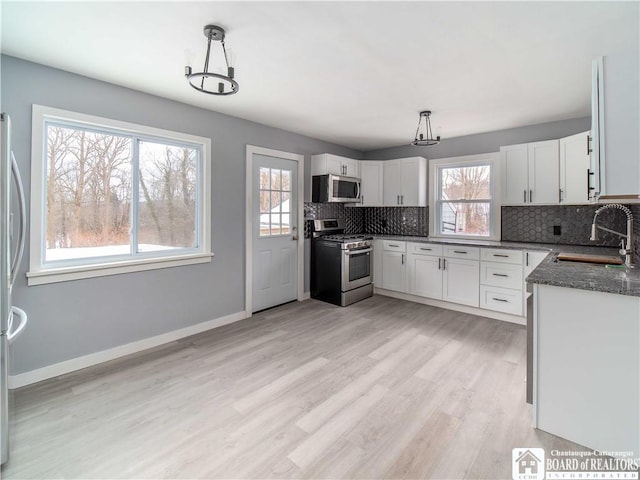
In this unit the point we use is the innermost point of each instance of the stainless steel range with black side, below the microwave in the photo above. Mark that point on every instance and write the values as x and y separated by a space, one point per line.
341 264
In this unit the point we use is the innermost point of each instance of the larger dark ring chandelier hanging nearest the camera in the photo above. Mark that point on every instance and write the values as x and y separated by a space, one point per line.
225 84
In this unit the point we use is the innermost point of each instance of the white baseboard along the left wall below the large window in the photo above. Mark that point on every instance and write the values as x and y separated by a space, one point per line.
51 371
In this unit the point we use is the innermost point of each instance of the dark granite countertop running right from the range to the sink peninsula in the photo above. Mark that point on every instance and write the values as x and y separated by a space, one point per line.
583 276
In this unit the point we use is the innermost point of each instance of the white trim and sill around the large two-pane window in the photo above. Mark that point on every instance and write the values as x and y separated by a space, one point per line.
39 273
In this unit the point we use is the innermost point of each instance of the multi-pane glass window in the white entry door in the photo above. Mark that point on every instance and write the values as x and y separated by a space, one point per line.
275 208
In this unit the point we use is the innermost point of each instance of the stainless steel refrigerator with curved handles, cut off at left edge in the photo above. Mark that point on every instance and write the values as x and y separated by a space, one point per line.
12 319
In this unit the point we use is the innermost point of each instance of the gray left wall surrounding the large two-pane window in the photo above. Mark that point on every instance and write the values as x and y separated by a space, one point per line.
71 319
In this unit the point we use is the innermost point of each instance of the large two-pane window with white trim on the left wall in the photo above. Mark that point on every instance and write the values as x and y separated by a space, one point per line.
111 197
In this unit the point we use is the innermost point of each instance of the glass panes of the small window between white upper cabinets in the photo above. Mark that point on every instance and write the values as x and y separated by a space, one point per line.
465 200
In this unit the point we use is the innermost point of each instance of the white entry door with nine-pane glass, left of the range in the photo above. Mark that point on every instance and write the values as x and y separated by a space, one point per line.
275 231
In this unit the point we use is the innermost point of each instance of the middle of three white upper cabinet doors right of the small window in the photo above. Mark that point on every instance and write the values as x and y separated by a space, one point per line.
544 172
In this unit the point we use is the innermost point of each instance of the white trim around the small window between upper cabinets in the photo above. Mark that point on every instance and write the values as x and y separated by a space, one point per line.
468 160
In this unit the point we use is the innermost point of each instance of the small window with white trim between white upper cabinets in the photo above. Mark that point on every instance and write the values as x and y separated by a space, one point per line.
463 197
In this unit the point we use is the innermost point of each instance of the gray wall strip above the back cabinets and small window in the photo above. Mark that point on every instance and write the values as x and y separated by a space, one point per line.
485 142
